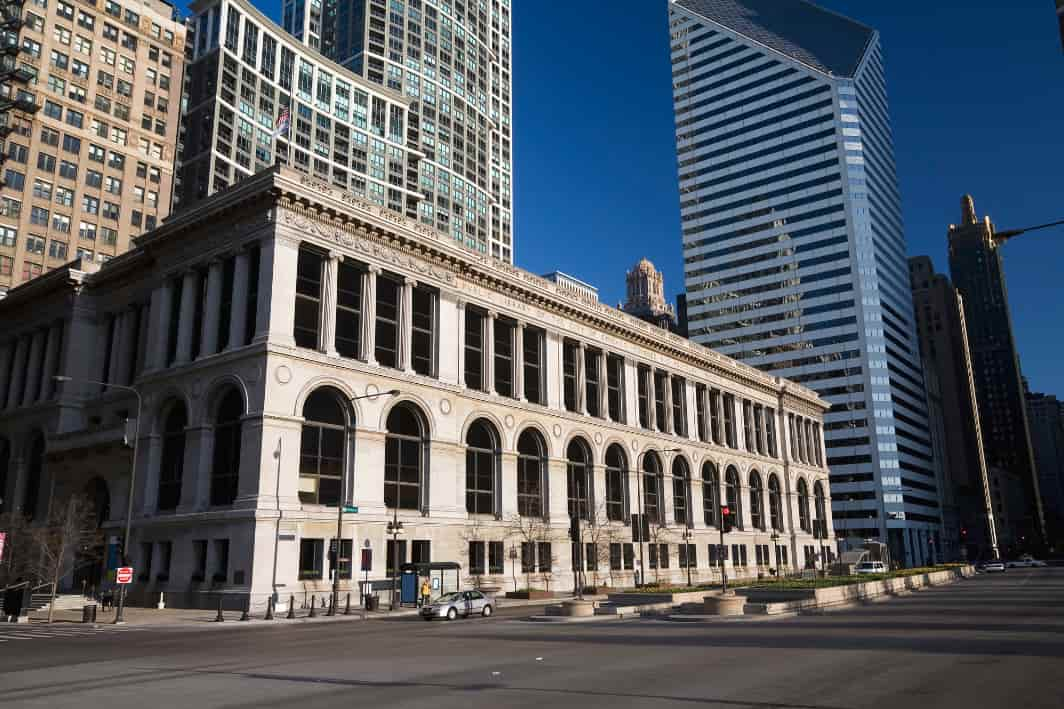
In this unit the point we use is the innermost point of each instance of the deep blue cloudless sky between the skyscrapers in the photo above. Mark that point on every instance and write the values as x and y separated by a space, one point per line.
977 102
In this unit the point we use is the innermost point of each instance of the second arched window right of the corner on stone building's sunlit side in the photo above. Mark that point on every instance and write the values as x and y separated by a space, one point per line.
405 457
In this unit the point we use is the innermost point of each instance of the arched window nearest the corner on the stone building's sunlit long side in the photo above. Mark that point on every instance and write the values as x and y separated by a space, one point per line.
323 449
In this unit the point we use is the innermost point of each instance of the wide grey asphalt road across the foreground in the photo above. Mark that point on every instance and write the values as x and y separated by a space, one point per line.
993 641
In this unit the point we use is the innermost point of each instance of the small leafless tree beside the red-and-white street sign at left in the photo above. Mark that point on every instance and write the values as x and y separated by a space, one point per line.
68 537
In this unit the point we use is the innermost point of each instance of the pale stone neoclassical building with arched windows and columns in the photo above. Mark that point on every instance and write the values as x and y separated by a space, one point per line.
255 327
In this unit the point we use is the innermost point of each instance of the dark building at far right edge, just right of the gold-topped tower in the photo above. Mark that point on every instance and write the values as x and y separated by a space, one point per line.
1045 416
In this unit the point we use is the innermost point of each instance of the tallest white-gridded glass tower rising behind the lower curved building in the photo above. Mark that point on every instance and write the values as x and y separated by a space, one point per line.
453 61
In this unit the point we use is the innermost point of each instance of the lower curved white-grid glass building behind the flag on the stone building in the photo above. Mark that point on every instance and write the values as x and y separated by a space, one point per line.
257 98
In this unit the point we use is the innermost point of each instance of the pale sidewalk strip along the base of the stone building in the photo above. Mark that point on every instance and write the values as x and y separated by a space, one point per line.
198 618
